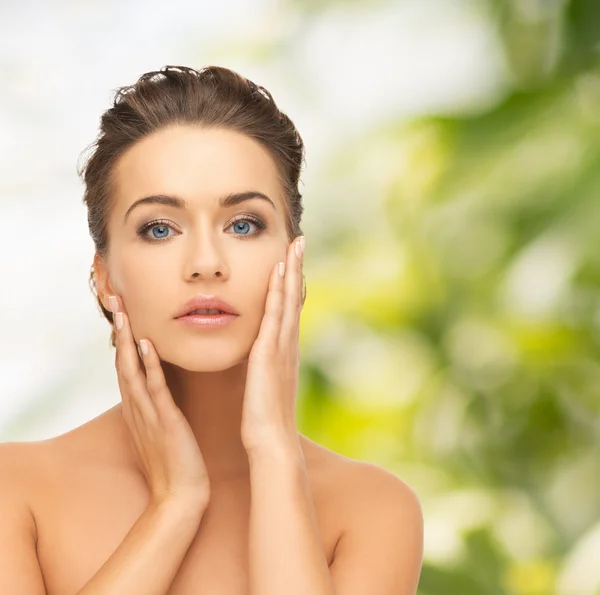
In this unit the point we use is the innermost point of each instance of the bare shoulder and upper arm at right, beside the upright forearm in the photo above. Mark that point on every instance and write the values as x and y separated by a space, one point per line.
380 548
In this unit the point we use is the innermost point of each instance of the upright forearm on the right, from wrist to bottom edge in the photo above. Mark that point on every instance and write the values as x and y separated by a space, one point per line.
286 553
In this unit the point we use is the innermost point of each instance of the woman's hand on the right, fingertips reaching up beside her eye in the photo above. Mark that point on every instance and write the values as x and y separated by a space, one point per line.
269 408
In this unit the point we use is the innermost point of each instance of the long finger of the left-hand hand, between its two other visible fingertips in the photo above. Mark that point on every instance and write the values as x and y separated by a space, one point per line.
132 382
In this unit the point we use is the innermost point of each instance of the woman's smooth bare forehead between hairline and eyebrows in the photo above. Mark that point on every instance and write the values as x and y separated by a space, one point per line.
193 161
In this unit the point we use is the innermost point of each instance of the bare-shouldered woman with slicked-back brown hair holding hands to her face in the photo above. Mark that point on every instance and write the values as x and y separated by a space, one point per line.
198 481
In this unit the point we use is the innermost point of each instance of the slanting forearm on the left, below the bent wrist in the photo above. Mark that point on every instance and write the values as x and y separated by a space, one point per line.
147 560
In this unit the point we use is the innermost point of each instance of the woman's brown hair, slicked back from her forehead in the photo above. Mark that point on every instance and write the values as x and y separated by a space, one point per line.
213 96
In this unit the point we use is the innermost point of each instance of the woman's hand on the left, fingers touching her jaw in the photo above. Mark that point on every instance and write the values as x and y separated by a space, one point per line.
168 453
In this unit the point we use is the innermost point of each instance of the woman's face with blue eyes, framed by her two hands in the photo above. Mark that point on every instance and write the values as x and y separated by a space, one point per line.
202 249
